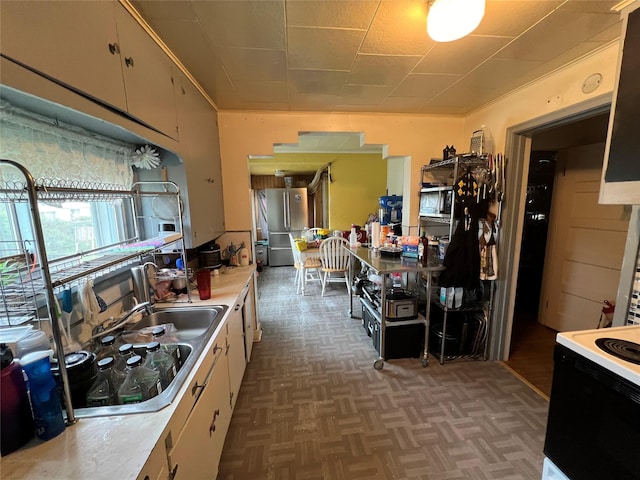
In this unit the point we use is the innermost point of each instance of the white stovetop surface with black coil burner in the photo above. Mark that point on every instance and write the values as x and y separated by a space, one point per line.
584 343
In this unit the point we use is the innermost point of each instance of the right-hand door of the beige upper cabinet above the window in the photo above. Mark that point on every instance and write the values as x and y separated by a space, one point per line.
148 76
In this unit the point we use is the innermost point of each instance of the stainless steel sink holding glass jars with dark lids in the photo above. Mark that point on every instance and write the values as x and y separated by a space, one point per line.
194 326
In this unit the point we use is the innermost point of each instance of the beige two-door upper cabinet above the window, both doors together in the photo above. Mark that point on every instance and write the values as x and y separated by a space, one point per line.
96 49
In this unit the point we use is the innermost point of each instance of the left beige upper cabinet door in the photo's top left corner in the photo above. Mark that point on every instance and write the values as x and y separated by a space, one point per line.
74 43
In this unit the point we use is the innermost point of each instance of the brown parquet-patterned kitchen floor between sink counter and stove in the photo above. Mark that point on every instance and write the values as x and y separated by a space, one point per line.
312 406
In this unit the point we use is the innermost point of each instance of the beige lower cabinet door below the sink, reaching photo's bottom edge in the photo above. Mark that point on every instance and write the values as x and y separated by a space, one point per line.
196 453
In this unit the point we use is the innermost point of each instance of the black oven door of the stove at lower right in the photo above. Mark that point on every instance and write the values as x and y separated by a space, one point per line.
593 428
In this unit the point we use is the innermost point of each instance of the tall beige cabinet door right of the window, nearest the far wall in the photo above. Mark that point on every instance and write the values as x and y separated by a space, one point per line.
200 148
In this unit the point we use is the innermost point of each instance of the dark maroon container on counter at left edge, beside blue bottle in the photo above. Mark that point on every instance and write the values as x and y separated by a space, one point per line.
16 418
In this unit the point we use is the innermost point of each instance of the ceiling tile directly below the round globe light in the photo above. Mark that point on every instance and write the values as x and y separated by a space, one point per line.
460 56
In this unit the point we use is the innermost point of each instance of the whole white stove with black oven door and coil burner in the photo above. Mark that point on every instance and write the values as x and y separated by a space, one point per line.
593 426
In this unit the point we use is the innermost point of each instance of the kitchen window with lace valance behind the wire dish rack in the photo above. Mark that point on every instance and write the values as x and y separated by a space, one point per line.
59 154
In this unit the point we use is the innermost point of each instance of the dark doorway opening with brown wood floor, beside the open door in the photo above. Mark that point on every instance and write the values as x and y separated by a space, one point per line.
531 346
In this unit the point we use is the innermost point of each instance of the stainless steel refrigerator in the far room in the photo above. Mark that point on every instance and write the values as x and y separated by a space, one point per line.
286 213
